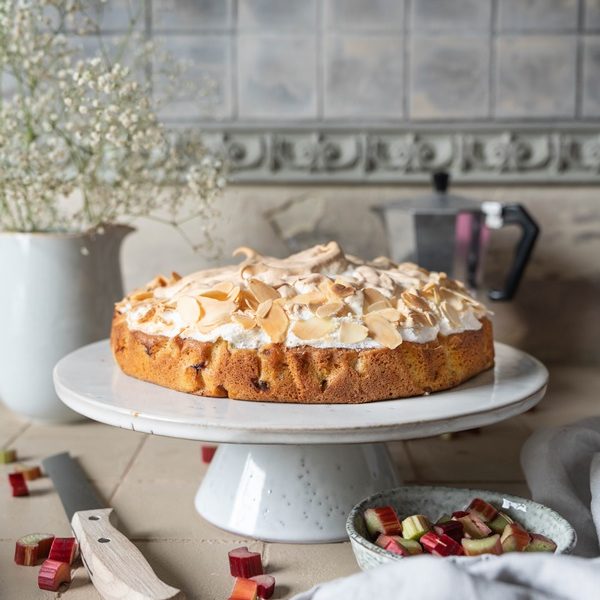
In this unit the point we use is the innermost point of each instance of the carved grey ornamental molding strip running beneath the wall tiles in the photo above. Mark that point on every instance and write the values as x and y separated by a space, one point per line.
509 155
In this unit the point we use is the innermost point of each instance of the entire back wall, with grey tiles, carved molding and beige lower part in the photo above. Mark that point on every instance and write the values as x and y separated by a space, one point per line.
311 93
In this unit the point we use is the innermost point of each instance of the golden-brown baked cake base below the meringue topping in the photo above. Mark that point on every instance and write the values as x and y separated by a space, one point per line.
303 374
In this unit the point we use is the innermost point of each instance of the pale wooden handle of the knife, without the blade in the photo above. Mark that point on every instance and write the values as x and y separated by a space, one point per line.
116 567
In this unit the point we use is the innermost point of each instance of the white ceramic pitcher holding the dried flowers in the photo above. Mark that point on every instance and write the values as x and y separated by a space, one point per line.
57 293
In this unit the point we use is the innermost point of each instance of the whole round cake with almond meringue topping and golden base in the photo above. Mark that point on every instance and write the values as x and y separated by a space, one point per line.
317 327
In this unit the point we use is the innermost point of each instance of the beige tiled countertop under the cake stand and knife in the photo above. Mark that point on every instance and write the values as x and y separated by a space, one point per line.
151 482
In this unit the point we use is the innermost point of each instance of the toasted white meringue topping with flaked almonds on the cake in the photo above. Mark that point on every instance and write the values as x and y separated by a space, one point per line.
319 297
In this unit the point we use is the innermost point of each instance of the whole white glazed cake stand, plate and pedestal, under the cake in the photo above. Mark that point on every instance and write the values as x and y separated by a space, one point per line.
292 472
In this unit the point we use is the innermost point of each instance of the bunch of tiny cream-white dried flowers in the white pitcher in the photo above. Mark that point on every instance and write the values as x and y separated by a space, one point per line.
80 142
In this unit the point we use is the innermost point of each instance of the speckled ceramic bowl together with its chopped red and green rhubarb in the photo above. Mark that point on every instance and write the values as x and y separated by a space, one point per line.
452 522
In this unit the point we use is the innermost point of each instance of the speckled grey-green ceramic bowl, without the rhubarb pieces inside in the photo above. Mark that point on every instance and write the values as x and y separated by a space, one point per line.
436 501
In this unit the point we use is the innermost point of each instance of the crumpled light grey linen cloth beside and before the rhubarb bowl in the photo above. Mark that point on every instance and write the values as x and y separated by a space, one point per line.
562 467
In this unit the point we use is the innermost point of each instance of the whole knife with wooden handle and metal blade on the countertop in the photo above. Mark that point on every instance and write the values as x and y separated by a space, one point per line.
116 567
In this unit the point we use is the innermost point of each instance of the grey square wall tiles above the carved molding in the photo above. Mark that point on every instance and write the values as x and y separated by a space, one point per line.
381 60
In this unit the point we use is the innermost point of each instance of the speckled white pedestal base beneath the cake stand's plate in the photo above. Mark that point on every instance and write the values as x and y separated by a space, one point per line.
291 493
